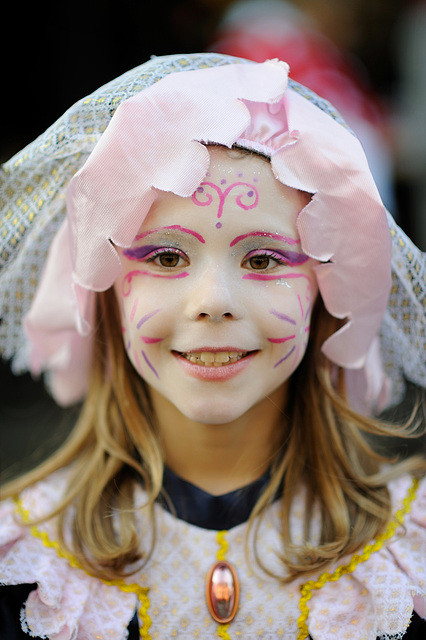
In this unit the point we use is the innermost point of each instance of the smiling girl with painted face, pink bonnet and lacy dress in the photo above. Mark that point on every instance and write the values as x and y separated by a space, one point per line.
223 288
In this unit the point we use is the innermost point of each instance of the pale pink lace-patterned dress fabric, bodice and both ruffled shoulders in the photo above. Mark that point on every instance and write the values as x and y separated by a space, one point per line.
376 600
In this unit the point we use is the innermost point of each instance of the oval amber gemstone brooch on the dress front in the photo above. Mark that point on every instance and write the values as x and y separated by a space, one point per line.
222 592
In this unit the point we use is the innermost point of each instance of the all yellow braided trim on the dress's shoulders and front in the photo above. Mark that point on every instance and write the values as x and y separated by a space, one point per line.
306 589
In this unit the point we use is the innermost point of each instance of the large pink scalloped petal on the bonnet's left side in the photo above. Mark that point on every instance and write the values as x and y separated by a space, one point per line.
153 142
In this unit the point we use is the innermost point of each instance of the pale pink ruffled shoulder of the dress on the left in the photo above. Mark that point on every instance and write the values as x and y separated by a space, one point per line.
68 604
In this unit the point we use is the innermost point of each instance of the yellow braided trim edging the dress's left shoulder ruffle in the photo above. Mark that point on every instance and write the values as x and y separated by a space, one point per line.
141 592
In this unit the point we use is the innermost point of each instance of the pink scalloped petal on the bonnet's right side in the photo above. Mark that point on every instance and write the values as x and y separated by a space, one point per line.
344 226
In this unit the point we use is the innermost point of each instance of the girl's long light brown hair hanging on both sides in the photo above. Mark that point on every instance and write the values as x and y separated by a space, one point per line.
324 447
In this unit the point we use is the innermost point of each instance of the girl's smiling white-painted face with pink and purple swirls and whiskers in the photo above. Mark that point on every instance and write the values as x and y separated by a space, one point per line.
216 293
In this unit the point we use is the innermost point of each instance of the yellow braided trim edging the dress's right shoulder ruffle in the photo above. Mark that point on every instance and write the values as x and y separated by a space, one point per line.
307 588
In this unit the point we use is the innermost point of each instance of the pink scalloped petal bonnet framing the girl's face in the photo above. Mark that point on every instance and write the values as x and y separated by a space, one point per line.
156 138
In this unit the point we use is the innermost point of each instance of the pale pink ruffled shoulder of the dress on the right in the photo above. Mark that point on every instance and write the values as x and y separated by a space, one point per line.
383 586
